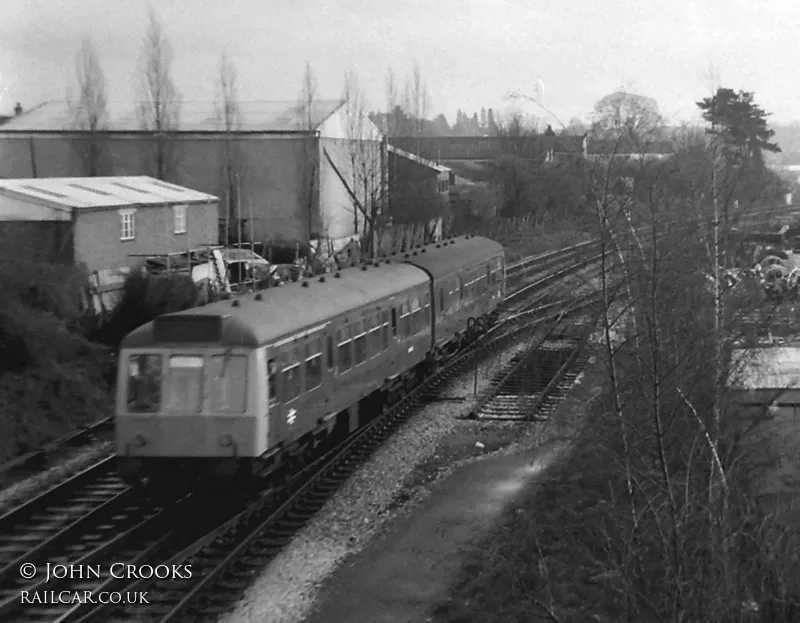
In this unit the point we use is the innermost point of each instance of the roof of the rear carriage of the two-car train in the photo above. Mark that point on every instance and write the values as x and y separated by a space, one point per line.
446 257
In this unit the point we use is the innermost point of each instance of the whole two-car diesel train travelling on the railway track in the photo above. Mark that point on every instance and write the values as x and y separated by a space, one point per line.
256 385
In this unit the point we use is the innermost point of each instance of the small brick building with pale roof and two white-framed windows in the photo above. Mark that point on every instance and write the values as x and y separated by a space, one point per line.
99 223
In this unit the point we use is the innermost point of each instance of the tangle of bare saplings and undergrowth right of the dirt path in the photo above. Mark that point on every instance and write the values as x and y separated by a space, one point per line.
659 510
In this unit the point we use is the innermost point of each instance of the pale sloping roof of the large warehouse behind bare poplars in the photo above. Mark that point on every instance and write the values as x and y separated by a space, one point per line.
256 116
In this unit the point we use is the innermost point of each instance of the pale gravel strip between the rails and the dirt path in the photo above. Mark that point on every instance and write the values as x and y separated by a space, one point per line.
390 483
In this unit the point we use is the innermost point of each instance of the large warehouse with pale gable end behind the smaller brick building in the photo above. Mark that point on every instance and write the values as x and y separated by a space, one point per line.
278 150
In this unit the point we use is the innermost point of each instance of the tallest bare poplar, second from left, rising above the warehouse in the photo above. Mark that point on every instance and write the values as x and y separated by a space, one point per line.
160 103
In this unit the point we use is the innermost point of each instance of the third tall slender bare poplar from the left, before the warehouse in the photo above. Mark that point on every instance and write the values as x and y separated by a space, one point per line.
228 115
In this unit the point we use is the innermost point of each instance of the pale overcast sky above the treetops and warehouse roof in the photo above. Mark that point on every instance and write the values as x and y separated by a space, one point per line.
472 52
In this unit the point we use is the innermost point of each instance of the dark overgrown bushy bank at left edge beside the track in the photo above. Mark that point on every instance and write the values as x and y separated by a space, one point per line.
51 375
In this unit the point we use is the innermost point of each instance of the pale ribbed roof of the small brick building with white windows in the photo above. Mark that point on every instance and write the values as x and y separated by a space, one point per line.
101 192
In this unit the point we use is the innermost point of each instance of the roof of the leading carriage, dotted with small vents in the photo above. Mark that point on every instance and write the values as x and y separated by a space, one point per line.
290 308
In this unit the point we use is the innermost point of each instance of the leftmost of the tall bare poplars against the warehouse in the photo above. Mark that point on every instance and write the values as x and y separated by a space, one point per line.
89 111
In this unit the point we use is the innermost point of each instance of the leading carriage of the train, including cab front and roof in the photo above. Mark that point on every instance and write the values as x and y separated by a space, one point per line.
240 378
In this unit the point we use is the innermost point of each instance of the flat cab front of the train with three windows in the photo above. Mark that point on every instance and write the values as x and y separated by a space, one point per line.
189 405
